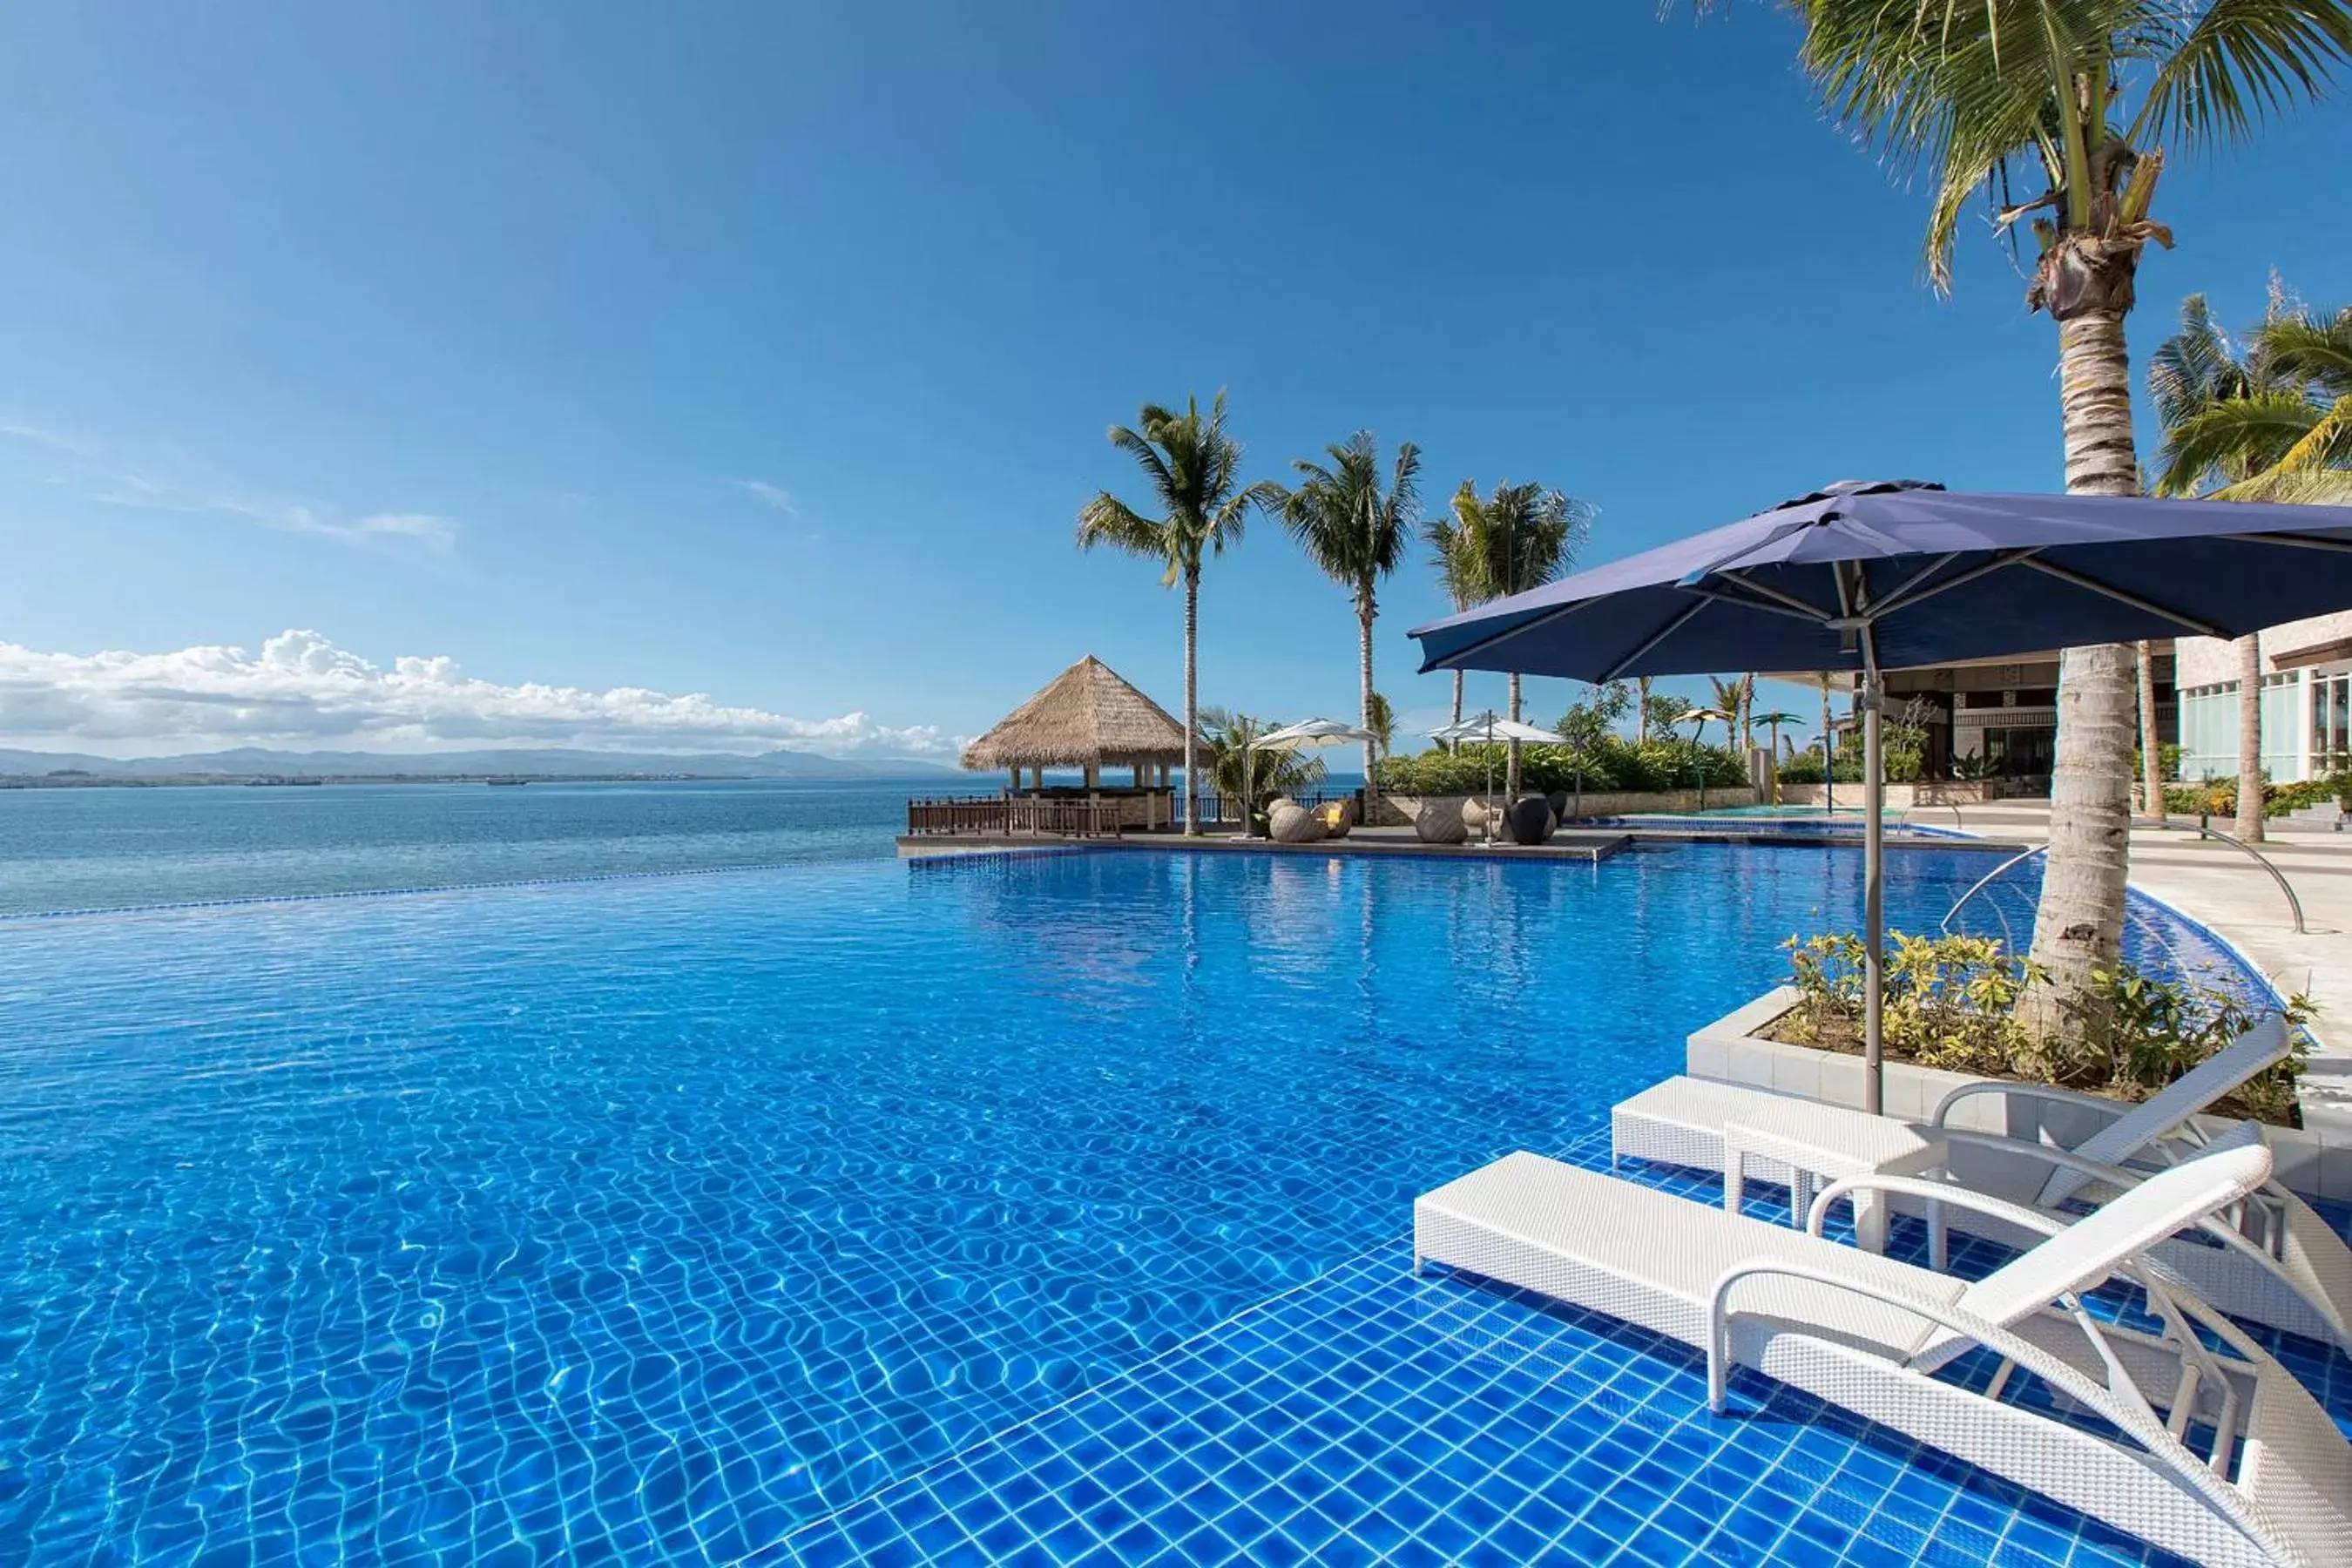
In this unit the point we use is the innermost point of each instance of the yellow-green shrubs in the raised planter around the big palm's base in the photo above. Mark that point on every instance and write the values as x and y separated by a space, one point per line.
1951 1003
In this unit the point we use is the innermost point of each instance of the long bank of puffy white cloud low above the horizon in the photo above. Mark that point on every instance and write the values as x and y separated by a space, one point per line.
307 692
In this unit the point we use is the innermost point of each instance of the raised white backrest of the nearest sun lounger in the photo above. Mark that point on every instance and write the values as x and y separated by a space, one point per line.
2094 1247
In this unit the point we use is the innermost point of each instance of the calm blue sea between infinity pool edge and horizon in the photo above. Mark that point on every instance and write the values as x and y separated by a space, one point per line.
100 850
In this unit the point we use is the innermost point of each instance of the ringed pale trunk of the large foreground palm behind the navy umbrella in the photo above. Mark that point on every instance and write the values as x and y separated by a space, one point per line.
2080 918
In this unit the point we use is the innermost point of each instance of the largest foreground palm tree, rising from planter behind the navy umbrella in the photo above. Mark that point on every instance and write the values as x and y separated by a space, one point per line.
1982 98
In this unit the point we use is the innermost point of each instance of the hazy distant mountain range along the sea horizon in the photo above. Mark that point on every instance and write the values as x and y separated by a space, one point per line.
514 763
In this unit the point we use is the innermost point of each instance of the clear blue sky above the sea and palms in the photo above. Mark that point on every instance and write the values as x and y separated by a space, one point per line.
766 351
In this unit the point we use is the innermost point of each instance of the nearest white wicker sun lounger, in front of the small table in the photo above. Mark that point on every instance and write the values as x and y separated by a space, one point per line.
2240 1468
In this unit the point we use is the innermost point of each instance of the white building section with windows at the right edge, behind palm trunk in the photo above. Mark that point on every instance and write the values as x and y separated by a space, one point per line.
2306 702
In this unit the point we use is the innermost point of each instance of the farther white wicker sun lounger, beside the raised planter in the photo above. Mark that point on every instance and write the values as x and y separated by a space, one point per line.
2271 1259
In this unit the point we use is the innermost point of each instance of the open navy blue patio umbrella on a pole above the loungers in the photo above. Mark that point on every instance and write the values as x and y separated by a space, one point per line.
1892 575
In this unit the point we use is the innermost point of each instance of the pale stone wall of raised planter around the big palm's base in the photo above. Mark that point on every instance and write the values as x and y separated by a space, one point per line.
2313 1160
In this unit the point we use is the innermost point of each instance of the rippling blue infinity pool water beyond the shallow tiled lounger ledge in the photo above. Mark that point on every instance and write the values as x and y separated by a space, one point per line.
662 1219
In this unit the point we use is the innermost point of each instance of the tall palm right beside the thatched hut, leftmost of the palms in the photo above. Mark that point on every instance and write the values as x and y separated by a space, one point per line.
1194 469
